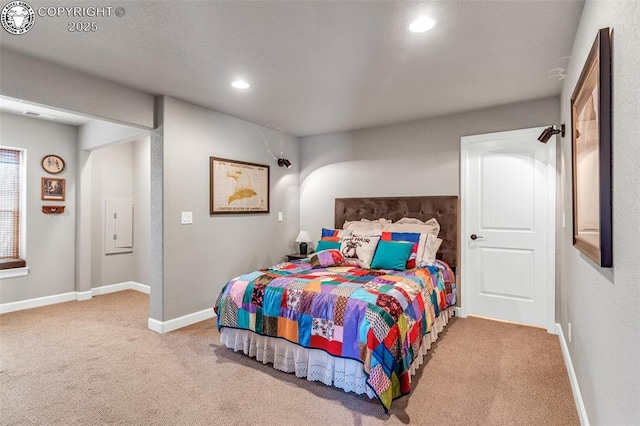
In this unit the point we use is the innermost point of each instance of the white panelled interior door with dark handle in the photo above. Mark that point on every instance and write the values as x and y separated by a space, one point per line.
508 227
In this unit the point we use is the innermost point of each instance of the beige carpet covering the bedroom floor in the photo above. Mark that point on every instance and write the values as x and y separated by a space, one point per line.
95 362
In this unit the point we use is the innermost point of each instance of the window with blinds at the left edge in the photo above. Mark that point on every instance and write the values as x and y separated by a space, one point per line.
11 195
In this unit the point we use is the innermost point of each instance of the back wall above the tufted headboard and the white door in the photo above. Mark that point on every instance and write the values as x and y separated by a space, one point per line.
416 158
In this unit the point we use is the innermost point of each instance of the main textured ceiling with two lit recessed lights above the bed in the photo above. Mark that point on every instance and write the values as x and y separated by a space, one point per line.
320 66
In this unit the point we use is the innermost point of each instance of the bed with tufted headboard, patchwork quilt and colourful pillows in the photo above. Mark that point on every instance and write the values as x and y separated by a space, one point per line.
364 327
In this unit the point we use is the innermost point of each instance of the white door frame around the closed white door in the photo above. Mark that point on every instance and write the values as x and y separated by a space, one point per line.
465 142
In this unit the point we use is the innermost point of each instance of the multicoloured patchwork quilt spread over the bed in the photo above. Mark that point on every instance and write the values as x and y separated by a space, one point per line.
377 317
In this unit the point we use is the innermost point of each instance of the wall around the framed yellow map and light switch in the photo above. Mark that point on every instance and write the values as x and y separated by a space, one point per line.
199 259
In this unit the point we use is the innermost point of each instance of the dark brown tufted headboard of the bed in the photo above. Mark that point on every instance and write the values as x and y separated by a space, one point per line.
443 207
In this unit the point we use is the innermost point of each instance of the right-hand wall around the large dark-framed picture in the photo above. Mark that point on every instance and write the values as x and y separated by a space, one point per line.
603 304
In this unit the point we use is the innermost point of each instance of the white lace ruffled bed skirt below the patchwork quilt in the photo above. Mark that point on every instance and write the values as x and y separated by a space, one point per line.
316 364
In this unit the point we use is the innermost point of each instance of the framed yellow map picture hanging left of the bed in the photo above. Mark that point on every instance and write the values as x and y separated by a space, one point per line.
238 187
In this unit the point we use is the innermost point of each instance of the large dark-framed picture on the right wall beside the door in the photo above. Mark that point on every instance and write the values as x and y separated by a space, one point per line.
591 154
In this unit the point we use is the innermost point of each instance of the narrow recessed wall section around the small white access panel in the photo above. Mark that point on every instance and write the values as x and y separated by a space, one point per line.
112 178
